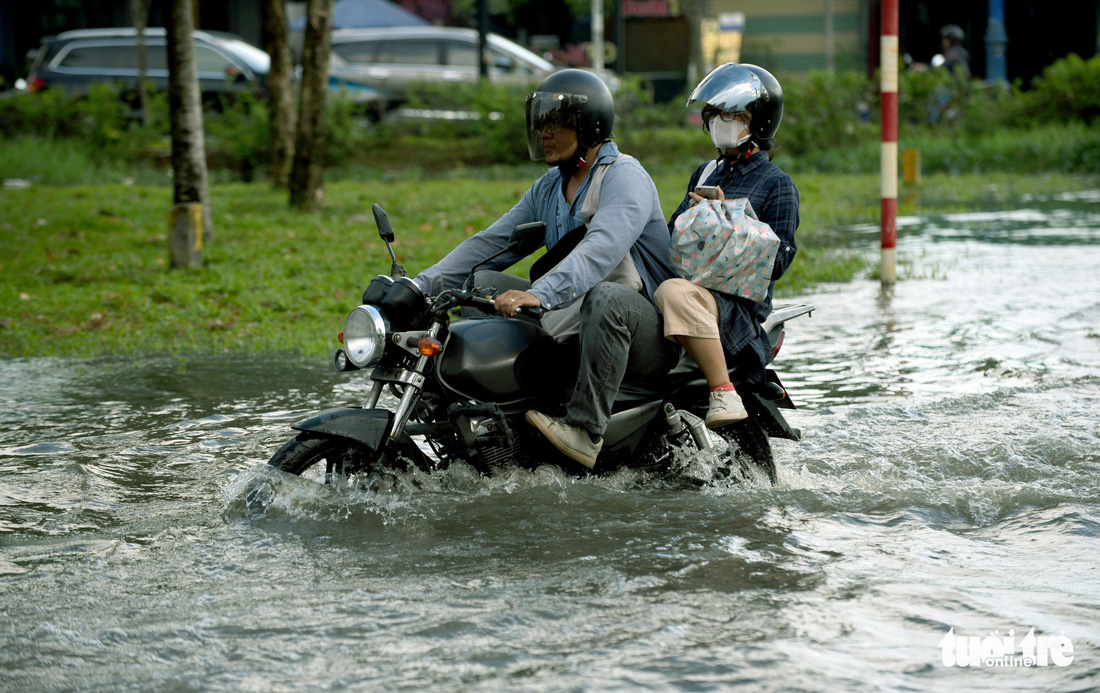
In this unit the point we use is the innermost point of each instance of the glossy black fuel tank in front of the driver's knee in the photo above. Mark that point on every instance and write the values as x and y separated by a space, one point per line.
505 361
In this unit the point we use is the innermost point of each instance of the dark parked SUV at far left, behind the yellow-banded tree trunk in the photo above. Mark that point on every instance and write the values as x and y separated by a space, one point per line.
75 60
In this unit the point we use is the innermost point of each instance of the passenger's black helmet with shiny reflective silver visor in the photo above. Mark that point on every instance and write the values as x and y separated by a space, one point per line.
743 89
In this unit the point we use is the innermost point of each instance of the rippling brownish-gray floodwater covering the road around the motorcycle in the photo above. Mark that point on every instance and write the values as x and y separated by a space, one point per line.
948 489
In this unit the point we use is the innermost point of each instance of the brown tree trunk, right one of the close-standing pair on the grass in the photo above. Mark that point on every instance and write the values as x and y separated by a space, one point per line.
310 146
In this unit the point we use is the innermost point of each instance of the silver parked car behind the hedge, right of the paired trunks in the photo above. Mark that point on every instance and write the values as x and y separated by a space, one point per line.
392 59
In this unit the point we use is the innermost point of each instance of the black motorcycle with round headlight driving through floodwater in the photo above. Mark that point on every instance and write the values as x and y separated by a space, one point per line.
464 377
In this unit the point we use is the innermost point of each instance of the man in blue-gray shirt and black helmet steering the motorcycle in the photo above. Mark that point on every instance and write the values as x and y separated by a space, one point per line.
614 263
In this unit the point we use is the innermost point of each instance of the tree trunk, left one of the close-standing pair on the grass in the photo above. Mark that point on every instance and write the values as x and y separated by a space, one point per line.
280 94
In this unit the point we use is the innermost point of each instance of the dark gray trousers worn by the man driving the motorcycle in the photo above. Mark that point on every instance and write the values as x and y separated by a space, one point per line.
621 338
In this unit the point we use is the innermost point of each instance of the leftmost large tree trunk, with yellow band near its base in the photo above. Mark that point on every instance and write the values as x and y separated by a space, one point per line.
189 147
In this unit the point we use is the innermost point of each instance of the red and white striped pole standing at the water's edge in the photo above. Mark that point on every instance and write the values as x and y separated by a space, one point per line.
889 89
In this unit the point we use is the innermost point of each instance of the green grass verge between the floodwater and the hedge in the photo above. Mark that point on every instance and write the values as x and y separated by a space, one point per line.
84 271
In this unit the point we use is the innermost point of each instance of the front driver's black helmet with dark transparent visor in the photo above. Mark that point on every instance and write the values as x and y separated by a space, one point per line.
570 98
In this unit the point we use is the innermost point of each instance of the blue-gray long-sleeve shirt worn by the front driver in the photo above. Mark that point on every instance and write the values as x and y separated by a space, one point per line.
629 221
